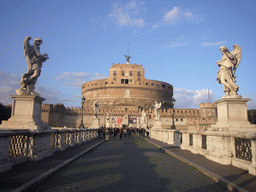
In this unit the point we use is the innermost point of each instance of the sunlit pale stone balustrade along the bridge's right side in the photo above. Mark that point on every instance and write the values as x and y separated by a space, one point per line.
227 148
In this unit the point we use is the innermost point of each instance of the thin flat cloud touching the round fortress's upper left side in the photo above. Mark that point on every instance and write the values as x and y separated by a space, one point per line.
77 79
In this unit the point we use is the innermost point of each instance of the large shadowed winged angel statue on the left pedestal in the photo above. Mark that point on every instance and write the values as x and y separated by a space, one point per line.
34 62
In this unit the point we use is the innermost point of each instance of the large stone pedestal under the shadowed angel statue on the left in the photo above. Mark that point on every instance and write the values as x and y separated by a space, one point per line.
26 113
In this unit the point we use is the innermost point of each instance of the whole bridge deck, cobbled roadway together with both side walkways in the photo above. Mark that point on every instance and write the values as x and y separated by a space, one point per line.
131 164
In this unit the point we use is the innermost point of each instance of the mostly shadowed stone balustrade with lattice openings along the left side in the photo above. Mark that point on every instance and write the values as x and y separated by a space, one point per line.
20 146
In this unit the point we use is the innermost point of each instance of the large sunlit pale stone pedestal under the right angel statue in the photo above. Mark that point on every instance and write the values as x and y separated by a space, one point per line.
232 116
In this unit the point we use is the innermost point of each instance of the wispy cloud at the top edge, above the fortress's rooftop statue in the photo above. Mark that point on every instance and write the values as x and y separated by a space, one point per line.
125 15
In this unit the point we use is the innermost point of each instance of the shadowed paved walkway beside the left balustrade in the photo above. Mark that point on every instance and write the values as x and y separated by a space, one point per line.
23 173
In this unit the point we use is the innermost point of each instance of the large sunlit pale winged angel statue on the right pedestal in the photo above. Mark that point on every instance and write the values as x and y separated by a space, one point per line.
228 65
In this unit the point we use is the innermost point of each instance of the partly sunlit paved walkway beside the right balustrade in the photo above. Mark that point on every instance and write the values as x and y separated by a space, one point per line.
230 176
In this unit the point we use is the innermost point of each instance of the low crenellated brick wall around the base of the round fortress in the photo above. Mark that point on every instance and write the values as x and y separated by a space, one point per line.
185 119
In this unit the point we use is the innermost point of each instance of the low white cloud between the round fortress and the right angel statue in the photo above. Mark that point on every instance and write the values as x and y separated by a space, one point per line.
192 99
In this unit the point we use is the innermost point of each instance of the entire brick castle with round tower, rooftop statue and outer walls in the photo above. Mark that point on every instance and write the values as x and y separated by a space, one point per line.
123 95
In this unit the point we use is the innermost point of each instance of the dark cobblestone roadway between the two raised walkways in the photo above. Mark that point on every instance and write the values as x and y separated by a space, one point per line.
130 164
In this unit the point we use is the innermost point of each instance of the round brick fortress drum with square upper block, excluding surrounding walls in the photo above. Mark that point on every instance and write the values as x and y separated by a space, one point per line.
126 87
